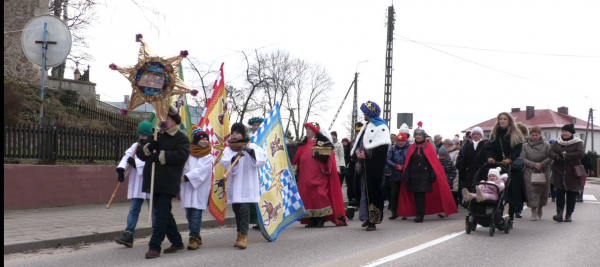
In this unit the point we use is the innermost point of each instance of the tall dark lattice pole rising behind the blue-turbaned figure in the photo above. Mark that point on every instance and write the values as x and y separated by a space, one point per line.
387 102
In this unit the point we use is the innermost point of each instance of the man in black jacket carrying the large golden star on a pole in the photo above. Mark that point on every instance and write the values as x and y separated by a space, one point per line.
168 155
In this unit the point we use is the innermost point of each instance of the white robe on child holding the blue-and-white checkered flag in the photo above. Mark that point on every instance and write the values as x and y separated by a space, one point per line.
243 184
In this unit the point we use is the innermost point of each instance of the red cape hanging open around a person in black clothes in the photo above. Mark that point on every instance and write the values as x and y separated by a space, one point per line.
440 200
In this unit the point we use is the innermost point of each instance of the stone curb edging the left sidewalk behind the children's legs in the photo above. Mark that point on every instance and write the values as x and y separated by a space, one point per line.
99 237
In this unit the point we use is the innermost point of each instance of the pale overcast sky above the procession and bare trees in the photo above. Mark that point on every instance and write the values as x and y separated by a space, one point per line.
447 93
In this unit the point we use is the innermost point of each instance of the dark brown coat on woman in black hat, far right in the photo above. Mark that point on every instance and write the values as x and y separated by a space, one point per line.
564 167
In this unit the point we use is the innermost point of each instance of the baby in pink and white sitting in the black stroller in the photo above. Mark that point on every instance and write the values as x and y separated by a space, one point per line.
487 192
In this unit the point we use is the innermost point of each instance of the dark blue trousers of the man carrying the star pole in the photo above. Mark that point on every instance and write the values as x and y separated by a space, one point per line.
165 223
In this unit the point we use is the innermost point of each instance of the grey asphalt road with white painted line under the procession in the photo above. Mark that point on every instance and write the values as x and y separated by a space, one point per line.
436 242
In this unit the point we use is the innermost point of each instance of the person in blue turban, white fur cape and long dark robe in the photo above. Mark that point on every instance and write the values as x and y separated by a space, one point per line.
371 149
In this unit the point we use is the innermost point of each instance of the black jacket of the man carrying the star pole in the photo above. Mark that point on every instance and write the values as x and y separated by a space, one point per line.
175 150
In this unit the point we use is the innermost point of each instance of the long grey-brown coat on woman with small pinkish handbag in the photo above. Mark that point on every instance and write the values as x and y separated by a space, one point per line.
532 153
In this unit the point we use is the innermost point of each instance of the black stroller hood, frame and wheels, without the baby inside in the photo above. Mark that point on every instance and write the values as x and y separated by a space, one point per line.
488 213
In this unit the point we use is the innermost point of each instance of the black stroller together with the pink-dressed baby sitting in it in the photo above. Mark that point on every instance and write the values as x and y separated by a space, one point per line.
486 207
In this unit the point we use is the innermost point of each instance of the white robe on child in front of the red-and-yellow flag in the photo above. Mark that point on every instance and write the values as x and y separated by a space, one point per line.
195 193
